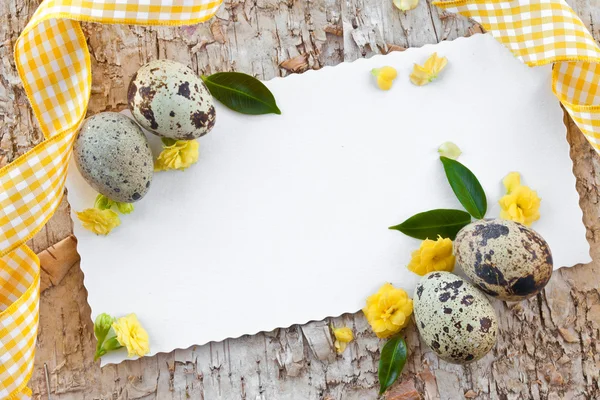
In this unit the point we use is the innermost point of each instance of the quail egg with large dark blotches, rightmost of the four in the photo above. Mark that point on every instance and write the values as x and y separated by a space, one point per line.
504 259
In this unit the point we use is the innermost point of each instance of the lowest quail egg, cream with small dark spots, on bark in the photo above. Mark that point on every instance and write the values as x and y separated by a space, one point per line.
454 318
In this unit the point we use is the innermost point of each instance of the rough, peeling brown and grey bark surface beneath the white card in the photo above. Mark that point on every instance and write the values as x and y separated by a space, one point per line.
548 346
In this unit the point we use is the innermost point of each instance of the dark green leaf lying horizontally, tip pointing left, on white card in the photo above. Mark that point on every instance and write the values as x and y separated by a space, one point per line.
430 224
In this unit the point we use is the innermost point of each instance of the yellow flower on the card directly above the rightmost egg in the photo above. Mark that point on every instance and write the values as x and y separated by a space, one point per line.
520 204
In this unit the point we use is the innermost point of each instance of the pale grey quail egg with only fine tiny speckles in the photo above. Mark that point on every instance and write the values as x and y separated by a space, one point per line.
113 156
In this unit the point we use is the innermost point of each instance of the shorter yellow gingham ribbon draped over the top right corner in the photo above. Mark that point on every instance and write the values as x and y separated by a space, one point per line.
540 32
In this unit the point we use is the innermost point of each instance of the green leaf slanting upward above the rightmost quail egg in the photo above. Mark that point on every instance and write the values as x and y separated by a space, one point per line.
466 187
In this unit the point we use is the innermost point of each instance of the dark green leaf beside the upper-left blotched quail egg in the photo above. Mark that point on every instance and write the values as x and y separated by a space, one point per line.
242 93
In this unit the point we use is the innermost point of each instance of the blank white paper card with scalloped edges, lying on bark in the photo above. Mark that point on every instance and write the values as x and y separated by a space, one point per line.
285 218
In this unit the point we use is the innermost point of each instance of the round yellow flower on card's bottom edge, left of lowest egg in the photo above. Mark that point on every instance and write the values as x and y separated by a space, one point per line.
388 311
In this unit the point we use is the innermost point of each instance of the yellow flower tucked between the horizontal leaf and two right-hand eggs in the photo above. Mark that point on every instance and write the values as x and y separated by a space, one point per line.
432 255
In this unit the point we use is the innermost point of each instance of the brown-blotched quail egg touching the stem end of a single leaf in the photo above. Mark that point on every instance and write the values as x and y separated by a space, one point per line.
170 100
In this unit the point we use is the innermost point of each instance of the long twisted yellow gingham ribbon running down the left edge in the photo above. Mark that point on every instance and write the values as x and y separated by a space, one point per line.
53 61
